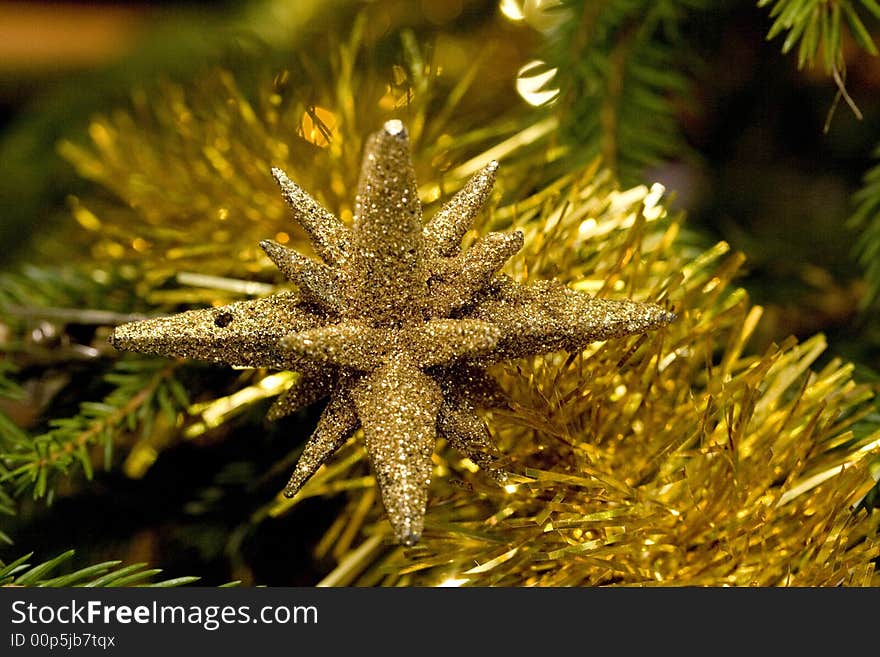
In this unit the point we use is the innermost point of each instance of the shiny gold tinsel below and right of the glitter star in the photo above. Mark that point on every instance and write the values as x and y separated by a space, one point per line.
671 459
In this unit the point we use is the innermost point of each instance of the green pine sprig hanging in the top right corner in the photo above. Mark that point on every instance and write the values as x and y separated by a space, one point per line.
816 28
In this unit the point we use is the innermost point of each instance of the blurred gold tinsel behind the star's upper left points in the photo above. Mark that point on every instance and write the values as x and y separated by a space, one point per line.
187 166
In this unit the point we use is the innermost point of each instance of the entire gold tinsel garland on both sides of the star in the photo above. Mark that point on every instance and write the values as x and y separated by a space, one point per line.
677 458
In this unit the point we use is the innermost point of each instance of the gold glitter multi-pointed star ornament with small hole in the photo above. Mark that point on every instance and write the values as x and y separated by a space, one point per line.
396 325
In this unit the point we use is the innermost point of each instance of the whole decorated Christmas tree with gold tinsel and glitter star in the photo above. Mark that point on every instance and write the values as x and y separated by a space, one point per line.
594 307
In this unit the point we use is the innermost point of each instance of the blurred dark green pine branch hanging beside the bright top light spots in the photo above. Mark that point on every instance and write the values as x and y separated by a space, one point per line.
619 62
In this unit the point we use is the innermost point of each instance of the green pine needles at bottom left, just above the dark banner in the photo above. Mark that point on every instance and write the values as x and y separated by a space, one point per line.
107 573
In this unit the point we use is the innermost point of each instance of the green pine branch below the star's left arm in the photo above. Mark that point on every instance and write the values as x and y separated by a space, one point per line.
144 389
